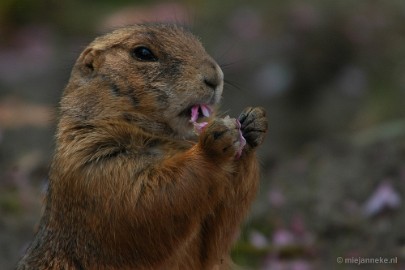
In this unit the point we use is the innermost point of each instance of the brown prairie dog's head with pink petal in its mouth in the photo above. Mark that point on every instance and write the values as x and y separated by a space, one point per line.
156 76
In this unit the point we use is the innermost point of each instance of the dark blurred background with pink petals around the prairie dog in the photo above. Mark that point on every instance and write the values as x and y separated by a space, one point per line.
331 75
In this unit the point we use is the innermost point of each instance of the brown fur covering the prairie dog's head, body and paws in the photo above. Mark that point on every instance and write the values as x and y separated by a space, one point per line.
131 186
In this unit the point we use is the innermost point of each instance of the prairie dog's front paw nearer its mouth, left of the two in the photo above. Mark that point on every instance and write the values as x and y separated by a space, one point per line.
223 137
